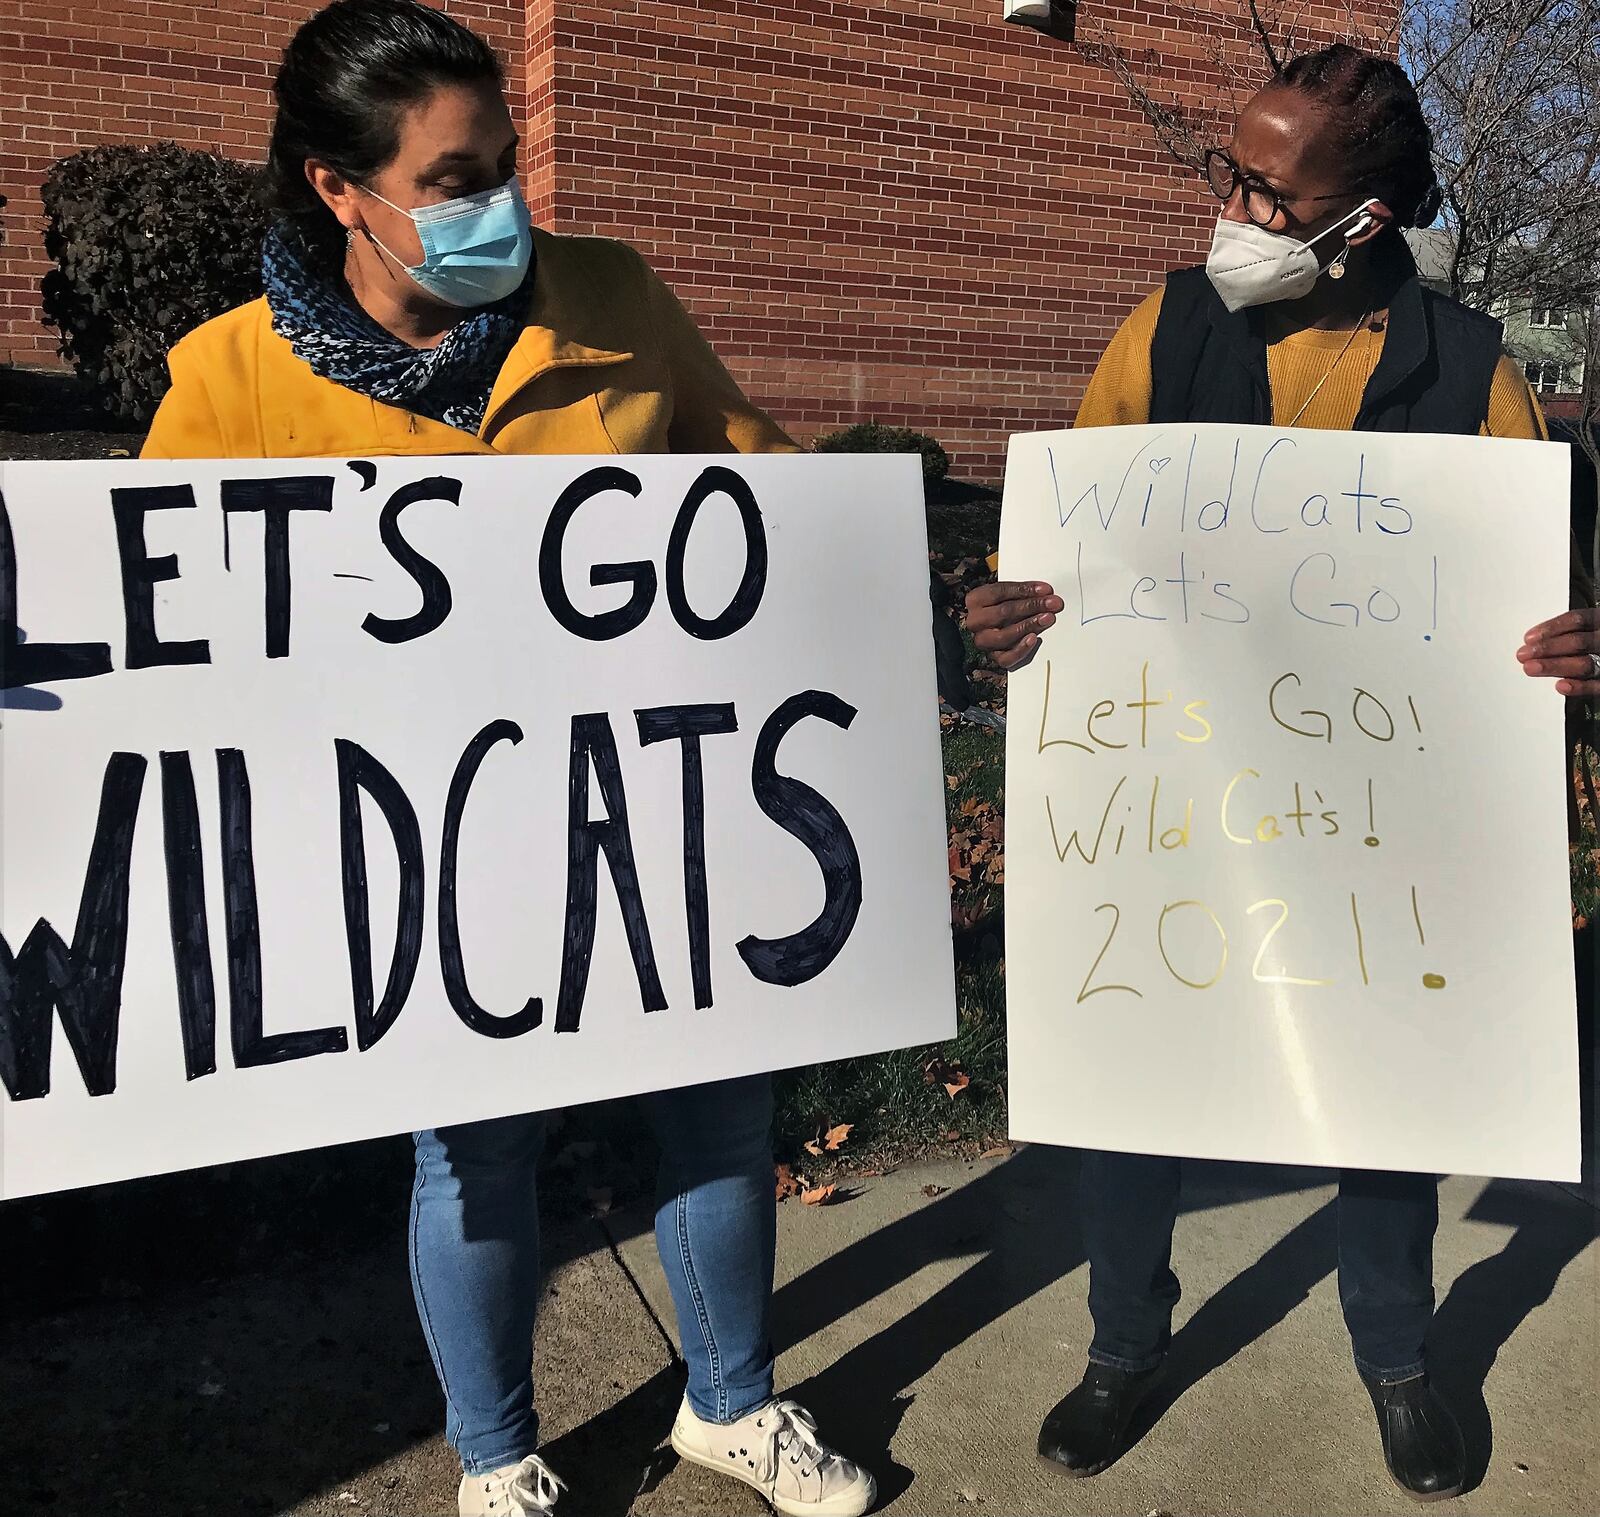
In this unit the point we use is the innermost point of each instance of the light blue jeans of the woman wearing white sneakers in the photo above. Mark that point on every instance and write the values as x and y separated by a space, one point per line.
476 1260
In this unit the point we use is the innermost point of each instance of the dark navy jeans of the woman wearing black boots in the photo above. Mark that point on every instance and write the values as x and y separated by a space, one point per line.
1386 1262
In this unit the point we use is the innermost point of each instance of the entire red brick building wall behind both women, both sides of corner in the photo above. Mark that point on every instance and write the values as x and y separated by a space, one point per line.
906 212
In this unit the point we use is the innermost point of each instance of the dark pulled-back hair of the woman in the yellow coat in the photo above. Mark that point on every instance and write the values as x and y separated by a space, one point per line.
348 76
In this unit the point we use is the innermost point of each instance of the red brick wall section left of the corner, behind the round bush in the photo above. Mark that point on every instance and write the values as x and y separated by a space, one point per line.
140 71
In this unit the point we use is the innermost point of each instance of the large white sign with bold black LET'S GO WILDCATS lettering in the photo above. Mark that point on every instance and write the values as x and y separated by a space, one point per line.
348 799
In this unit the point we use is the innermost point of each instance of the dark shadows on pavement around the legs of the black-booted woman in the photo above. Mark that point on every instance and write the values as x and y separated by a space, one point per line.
1022 1215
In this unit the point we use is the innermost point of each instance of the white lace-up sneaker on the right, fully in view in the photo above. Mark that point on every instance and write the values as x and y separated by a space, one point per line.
778 1452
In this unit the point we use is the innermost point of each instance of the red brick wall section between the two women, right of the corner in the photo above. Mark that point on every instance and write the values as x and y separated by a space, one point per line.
910 212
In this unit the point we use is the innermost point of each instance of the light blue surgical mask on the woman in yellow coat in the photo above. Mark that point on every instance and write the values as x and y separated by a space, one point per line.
476 249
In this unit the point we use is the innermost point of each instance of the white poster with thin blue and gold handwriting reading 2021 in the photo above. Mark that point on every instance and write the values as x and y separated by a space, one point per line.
1286 822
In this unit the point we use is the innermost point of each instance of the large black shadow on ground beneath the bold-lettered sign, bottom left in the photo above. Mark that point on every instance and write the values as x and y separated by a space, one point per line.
226 1342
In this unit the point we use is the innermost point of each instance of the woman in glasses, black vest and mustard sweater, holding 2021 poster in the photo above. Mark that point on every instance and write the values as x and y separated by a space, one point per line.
1310 313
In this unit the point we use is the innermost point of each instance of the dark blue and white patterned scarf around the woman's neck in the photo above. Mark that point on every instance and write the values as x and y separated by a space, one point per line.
340 342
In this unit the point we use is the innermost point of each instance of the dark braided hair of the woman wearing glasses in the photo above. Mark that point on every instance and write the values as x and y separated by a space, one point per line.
1377 126
